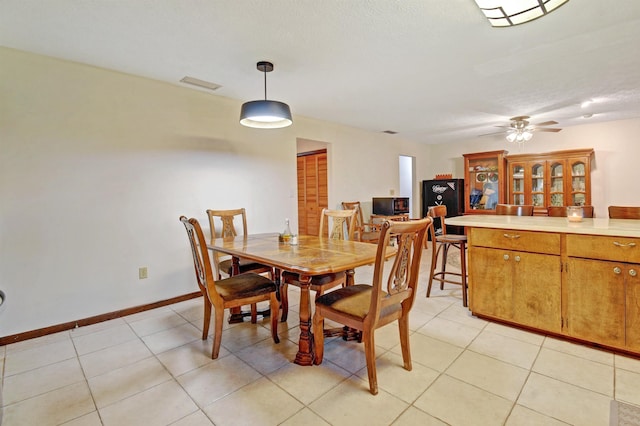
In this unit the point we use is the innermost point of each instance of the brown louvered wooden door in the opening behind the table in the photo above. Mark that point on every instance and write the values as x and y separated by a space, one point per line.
312 191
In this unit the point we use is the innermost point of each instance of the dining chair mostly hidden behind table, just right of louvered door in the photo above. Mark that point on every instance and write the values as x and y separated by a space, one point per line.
334 224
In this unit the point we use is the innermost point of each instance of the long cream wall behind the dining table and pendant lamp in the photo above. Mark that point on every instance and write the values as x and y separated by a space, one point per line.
97 166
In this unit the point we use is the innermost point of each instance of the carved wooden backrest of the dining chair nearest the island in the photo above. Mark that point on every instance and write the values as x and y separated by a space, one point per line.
402 278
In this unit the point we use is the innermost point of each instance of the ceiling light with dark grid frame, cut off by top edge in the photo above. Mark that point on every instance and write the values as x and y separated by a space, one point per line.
507 13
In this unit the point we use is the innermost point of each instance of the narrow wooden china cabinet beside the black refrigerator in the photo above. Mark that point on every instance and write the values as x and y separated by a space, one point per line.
484 181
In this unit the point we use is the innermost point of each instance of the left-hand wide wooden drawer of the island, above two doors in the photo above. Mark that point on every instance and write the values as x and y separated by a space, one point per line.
509 239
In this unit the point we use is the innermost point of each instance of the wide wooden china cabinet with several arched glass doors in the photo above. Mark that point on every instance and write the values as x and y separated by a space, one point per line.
560 178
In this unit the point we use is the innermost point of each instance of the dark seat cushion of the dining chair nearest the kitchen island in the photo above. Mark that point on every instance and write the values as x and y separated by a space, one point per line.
353 300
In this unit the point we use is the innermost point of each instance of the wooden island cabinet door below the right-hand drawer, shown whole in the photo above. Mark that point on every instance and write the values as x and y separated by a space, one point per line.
595 309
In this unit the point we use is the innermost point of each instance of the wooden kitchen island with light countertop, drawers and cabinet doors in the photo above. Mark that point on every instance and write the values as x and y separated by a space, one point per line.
577 280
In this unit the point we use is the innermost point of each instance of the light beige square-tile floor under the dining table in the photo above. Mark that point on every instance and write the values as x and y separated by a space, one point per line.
152 368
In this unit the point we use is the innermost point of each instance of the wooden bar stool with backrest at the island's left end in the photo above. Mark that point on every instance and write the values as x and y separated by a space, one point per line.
442 243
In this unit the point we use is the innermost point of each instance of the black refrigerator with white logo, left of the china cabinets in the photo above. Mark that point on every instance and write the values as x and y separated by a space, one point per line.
449 192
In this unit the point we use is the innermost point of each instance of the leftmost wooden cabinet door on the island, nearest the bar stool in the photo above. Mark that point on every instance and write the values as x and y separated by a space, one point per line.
492 296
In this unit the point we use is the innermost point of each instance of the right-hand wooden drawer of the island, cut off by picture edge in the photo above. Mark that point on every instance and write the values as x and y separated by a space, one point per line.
619 249
